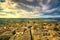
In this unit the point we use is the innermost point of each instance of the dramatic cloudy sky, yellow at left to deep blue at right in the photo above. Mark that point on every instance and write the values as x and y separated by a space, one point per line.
29 8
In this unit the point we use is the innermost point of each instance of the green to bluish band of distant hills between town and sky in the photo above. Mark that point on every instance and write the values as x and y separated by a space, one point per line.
11 20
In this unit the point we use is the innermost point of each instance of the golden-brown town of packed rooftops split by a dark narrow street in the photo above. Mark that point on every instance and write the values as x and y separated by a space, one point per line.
30 31
